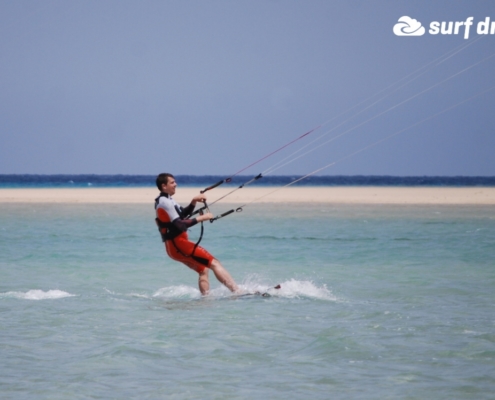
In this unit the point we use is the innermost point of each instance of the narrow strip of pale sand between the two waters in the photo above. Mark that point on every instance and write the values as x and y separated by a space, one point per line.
308 194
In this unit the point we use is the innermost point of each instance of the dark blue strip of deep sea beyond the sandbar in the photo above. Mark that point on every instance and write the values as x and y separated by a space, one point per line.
13 181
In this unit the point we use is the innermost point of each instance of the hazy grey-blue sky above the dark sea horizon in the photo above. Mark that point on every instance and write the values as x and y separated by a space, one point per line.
207 87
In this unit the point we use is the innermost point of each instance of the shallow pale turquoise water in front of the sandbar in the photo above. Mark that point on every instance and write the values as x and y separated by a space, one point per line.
376 302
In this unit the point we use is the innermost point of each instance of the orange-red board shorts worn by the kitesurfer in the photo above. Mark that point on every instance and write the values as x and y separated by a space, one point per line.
180 249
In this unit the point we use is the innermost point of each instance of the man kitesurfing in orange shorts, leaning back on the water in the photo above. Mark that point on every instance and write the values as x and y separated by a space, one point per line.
173 222
